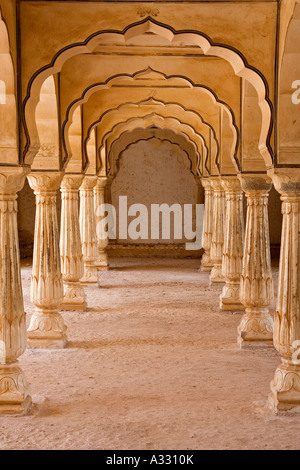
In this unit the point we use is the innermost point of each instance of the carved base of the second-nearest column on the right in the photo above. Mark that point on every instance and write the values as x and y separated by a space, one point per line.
256 328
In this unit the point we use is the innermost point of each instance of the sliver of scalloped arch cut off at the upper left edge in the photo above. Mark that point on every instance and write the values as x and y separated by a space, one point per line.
9 145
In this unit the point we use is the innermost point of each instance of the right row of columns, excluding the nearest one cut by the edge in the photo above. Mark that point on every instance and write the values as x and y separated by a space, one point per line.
240 259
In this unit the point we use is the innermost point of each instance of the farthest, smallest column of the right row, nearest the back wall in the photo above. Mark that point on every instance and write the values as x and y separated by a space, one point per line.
206 262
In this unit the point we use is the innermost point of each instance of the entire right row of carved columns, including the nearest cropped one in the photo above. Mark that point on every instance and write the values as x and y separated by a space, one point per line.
246 268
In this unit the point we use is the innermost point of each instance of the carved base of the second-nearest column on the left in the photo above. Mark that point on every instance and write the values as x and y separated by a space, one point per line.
47 330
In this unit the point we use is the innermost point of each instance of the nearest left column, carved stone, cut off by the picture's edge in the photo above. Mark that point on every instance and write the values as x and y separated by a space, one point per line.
14 390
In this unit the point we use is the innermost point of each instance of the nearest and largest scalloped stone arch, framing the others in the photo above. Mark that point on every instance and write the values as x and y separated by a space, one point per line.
148 25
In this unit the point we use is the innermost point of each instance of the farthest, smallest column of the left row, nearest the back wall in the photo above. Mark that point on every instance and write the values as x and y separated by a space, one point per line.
99 198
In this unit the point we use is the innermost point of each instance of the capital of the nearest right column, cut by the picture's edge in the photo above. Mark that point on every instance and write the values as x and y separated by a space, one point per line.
286 180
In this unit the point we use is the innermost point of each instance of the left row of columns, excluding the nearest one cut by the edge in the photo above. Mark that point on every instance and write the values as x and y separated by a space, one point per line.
63 264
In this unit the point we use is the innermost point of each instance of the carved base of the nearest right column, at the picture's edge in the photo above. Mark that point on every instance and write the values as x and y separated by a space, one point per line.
285 388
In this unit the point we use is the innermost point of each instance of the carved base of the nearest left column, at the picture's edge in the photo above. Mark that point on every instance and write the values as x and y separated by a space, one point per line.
14 390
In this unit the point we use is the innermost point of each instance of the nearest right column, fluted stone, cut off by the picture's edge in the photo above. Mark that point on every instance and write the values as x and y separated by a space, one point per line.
285 388
